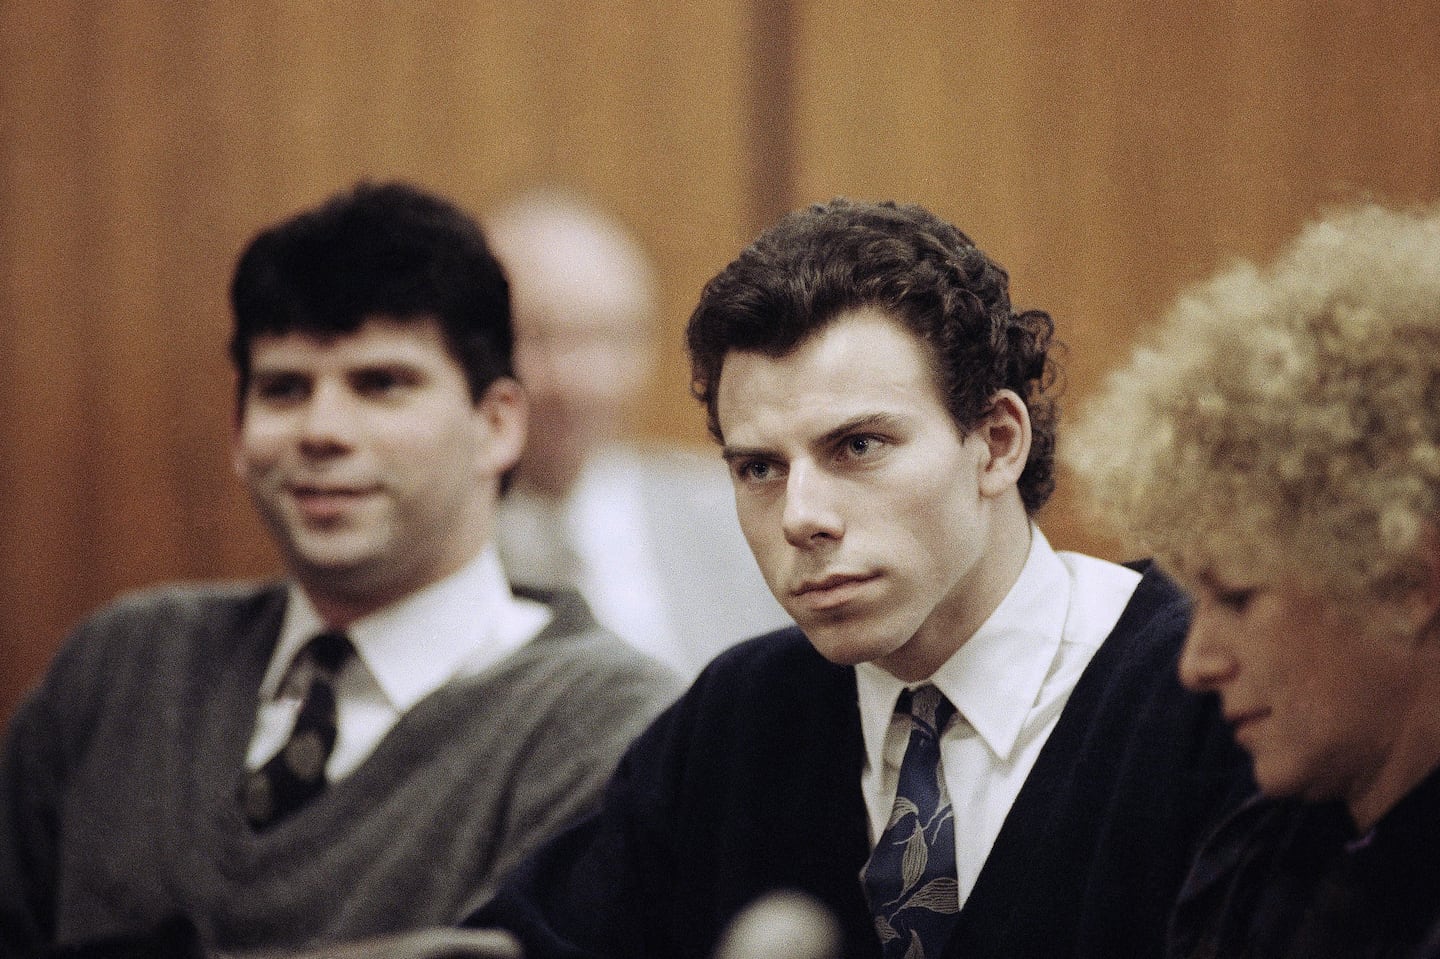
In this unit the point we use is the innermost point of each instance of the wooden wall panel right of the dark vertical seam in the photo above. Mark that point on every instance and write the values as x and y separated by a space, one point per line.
1110 153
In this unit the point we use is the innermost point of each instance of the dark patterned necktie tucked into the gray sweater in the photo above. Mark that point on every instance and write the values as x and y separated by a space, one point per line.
297 774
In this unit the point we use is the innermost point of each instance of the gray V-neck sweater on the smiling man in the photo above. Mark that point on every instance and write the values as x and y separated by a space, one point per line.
119 787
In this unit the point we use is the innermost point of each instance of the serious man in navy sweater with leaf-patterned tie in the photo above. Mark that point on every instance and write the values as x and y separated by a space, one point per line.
973 745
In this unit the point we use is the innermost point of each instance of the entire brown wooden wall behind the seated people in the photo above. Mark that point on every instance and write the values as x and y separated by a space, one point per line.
1107 152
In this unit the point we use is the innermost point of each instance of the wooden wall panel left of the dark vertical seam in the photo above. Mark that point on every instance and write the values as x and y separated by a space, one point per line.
145 142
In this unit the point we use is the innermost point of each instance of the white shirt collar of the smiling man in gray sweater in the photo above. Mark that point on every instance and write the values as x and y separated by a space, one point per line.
459 626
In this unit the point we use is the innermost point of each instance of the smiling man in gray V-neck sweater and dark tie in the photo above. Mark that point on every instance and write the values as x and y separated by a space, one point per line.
368 745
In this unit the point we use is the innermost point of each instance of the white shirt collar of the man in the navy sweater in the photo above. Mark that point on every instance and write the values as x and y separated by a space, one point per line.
996 677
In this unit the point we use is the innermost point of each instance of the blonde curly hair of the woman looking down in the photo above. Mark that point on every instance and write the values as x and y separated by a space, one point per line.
1284 424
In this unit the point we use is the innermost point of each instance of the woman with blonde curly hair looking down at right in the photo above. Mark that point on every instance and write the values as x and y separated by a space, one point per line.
1278 447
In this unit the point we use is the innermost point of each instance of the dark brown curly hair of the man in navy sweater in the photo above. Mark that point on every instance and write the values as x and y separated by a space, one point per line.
839 257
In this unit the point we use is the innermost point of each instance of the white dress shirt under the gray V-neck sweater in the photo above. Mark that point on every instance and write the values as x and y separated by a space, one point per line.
457 627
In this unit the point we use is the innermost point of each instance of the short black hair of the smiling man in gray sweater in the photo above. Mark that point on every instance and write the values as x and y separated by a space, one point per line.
387 250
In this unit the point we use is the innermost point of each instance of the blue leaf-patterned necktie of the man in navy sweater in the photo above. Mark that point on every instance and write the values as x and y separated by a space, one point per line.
911 879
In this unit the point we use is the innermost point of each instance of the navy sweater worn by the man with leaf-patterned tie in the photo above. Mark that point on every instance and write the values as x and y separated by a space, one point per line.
751 784
